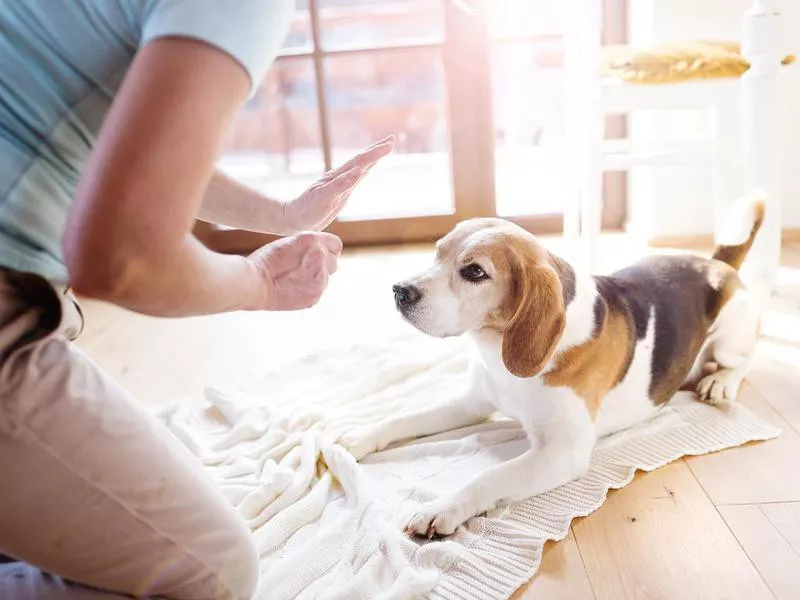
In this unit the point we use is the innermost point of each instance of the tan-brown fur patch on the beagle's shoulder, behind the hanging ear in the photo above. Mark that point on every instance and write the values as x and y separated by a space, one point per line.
595 367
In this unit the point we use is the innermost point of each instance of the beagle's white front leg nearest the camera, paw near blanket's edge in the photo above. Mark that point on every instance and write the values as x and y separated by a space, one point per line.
553 460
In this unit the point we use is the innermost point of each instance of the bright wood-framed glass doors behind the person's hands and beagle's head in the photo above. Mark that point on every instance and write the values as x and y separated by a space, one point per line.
475 98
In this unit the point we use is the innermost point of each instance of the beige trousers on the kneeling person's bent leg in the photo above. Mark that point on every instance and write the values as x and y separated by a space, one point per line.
92 489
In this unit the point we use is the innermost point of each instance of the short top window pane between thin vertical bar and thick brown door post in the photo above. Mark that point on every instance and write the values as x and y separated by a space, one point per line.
347 23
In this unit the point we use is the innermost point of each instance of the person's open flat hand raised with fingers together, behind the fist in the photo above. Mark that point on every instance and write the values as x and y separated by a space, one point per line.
320 204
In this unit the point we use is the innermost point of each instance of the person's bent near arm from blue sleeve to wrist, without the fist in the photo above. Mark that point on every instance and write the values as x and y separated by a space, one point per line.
127 240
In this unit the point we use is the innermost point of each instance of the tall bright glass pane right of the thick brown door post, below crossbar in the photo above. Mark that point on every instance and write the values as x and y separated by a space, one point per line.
530 137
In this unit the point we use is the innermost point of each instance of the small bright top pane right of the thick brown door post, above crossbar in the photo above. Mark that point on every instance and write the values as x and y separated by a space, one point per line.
524 18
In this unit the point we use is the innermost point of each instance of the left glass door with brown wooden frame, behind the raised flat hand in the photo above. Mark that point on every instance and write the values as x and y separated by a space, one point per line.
352 72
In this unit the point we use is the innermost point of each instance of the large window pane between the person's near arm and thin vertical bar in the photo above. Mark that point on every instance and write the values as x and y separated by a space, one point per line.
274 143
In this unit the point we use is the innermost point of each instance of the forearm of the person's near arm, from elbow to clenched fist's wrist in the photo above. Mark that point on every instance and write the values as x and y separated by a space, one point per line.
190 281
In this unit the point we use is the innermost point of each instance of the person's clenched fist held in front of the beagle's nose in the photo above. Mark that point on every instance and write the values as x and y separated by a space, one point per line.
295 270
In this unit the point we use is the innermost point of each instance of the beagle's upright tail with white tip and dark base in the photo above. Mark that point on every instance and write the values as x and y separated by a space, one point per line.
739 229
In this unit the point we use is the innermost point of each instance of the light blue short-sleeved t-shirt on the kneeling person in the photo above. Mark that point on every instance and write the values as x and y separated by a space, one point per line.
61 63
